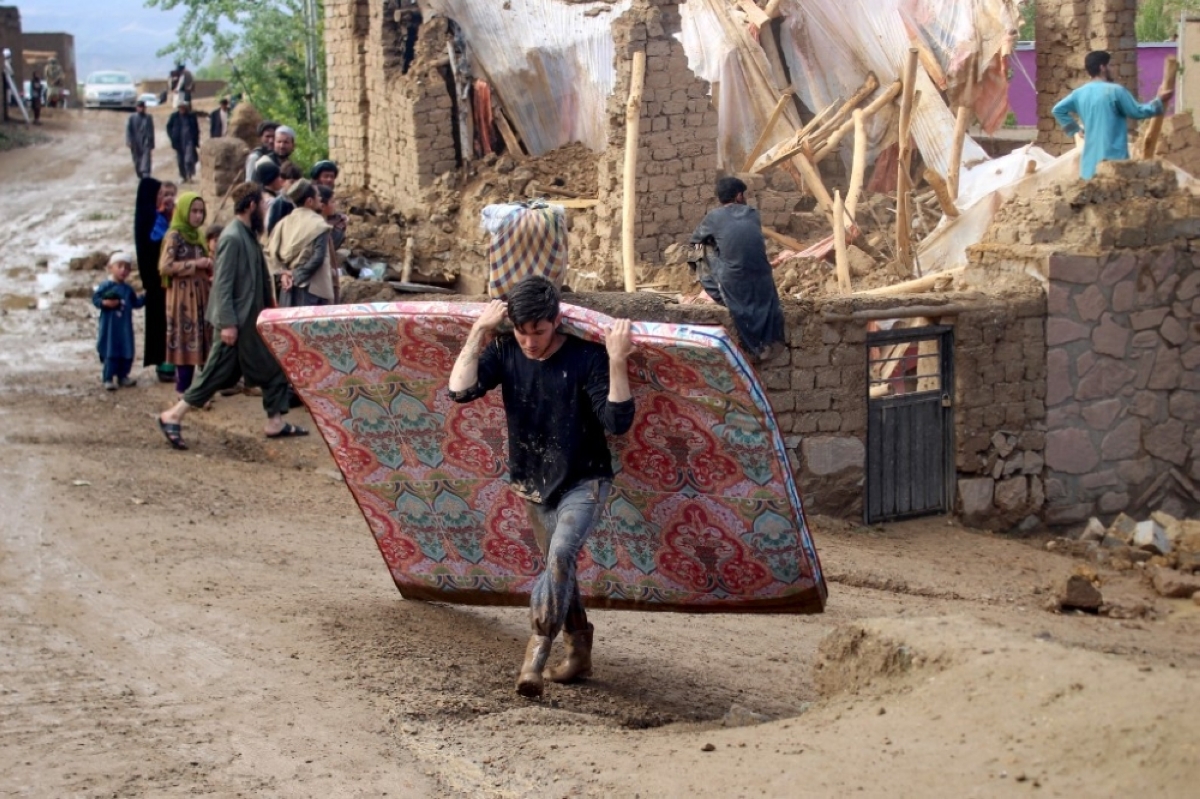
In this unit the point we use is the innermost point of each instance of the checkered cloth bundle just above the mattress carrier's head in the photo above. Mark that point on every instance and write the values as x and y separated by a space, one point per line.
527 239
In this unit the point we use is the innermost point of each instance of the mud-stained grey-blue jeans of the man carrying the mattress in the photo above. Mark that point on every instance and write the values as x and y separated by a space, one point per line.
562 532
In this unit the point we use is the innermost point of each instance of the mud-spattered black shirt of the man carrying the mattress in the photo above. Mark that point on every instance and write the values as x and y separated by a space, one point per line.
557 414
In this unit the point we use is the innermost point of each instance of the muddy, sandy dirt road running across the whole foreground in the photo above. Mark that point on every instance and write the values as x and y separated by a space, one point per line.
220 623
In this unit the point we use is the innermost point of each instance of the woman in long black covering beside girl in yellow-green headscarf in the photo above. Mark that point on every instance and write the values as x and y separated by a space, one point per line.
152 218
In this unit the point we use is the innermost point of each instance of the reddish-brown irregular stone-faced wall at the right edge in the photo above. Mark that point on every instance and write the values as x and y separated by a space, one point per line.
1124 394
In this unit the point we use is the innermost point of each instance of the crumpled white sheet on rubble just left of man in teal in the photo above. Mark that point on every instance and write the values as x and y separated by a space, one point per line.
983 190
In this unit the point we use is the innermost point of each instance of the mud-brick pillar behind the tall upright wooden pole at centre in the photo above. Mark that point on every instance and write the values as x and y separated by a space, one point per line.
677 148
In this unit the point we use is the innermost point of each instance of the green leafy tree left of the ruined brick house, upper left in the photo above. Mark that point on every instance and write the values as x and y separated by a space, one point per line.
265 46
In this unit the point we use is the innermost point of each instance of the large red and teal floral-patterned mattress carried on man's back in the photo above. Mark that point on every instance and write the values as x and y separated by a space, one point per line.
704 515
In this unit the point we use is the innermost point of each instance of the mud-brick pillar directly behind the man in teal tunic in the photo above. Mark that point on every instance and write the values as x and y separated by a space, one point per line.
1066 32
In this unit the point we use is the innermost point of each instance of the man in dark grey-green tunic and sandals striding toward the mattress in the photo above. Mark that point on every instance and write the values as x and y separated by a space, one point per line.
242 290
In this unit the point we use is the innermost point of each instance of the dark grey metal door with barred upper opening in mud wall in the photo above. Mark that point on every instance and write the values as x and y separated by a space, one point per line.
910 431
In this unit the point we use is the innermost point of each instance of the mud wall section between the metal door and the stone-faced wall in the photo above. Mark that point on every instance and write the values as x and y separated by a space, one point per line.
1000 389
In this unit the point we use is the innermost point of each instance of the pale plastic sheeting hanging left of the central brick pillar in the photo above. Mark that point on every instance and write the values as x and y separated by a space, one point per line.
550 64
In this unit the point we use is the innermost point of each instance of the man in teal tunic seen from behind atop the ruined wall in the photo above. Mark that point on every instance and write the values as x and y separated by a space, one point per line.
1105 110
